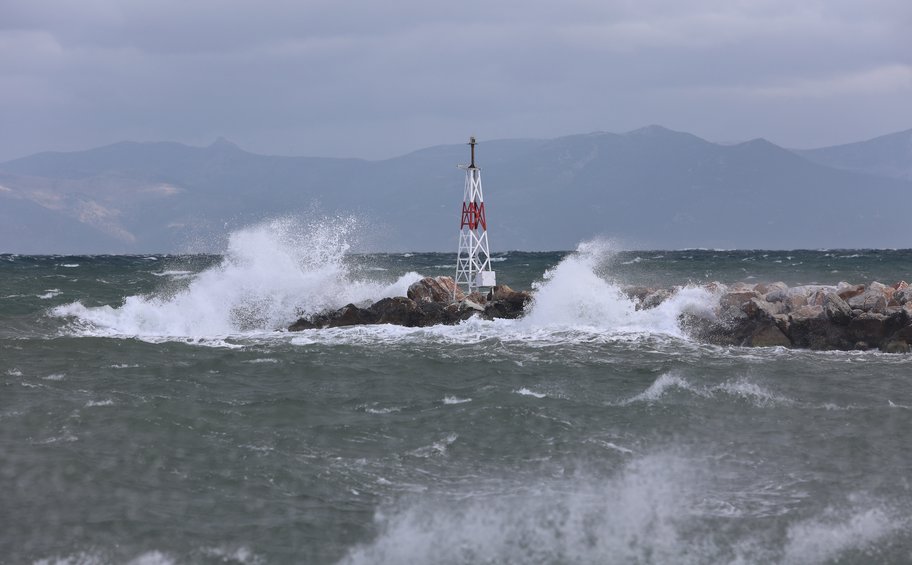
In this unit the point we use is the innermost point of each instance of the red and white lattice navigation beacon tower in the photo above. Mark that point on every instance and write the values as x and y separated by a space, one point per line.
473 263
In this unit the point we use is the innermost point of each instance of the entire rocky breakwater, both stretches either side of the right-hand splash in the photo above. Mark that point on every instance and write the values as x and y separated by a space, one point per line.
845 316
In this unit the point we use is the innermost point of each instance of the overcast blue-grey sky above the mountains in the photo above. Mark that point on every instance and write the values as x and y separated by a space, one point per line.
380 79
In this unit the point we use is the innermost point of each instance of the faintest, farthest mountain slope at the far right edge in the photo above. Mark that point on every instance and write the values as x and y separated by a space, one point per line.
887 155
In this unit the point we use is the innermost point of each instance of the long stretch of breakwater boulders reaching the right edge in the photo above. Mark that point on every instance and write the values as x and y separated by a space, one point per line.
842 317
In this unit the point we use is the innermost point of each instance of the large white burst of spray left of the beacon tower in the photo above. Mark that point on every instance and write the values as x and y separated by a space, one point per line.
270 273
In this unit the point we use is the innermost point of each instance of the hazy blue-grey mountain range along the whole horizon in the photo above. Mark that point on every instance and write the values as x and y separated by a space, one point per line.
649 188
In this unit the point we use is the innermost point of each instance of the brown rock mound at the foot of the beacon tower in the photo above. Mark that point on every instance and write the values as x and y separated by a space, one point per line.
429 302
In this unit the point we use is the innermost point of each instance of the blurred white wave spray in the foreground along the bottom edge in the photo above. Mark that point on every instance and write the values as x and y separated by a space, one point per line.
655 509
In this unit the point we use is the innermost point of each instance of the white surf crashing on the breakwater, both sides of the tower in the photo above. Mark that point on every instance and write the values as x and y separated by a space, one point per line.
276 271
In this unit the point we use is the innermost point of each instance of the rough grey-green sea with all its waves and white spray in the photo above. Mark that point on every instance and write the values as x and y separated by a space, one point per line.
154 410
